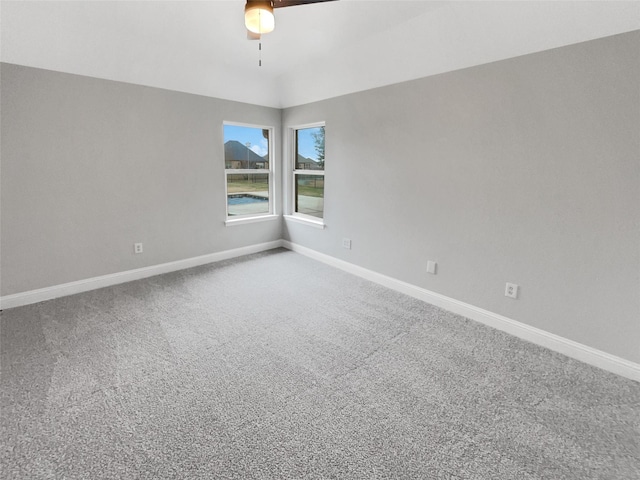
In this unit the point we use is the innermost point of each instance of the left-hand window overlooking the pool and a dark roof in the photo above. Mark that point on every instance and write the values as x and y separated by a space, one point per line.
248 170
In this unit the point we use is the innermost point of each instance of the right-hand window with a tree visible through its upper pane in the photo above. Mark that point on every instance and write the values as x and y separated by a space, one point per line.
308 171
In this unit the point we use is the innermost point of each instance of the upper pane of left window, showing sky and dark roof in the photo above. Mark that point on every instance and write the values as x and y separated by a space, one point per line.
246 147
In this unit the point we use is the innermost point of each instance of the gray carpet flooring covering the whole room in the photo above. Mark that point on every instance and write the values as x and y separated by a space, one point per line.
277 366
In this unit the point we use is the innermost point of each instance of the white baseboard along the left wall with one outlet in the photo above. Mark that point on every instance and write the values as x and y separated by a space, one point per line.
71 288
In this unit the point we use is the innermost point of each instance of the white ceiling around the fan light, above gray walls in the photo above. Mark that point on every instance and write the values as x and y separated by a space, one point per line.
316 51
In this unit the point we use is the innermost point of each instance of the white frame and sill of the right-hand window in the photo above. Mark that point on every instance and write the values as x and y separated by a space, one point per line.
293 172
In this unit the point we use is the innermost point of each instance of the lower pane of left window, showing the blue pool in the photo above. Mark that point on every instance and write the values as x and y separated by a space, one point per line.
247 193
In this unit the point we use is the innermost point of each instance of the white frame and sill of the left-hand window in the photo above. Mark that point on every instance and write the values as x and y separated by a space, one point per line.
271 171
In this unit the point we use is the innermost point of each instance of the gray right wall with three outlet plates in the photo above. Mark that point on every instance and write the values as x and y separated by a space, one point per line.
525 171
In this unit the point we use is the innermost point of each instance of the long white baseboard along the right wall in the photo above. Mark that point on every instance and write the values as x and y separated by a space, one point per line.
572 349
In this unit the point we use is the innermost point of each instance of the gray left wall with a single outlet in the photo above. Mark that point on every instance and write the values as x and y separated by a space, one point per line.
91 166
